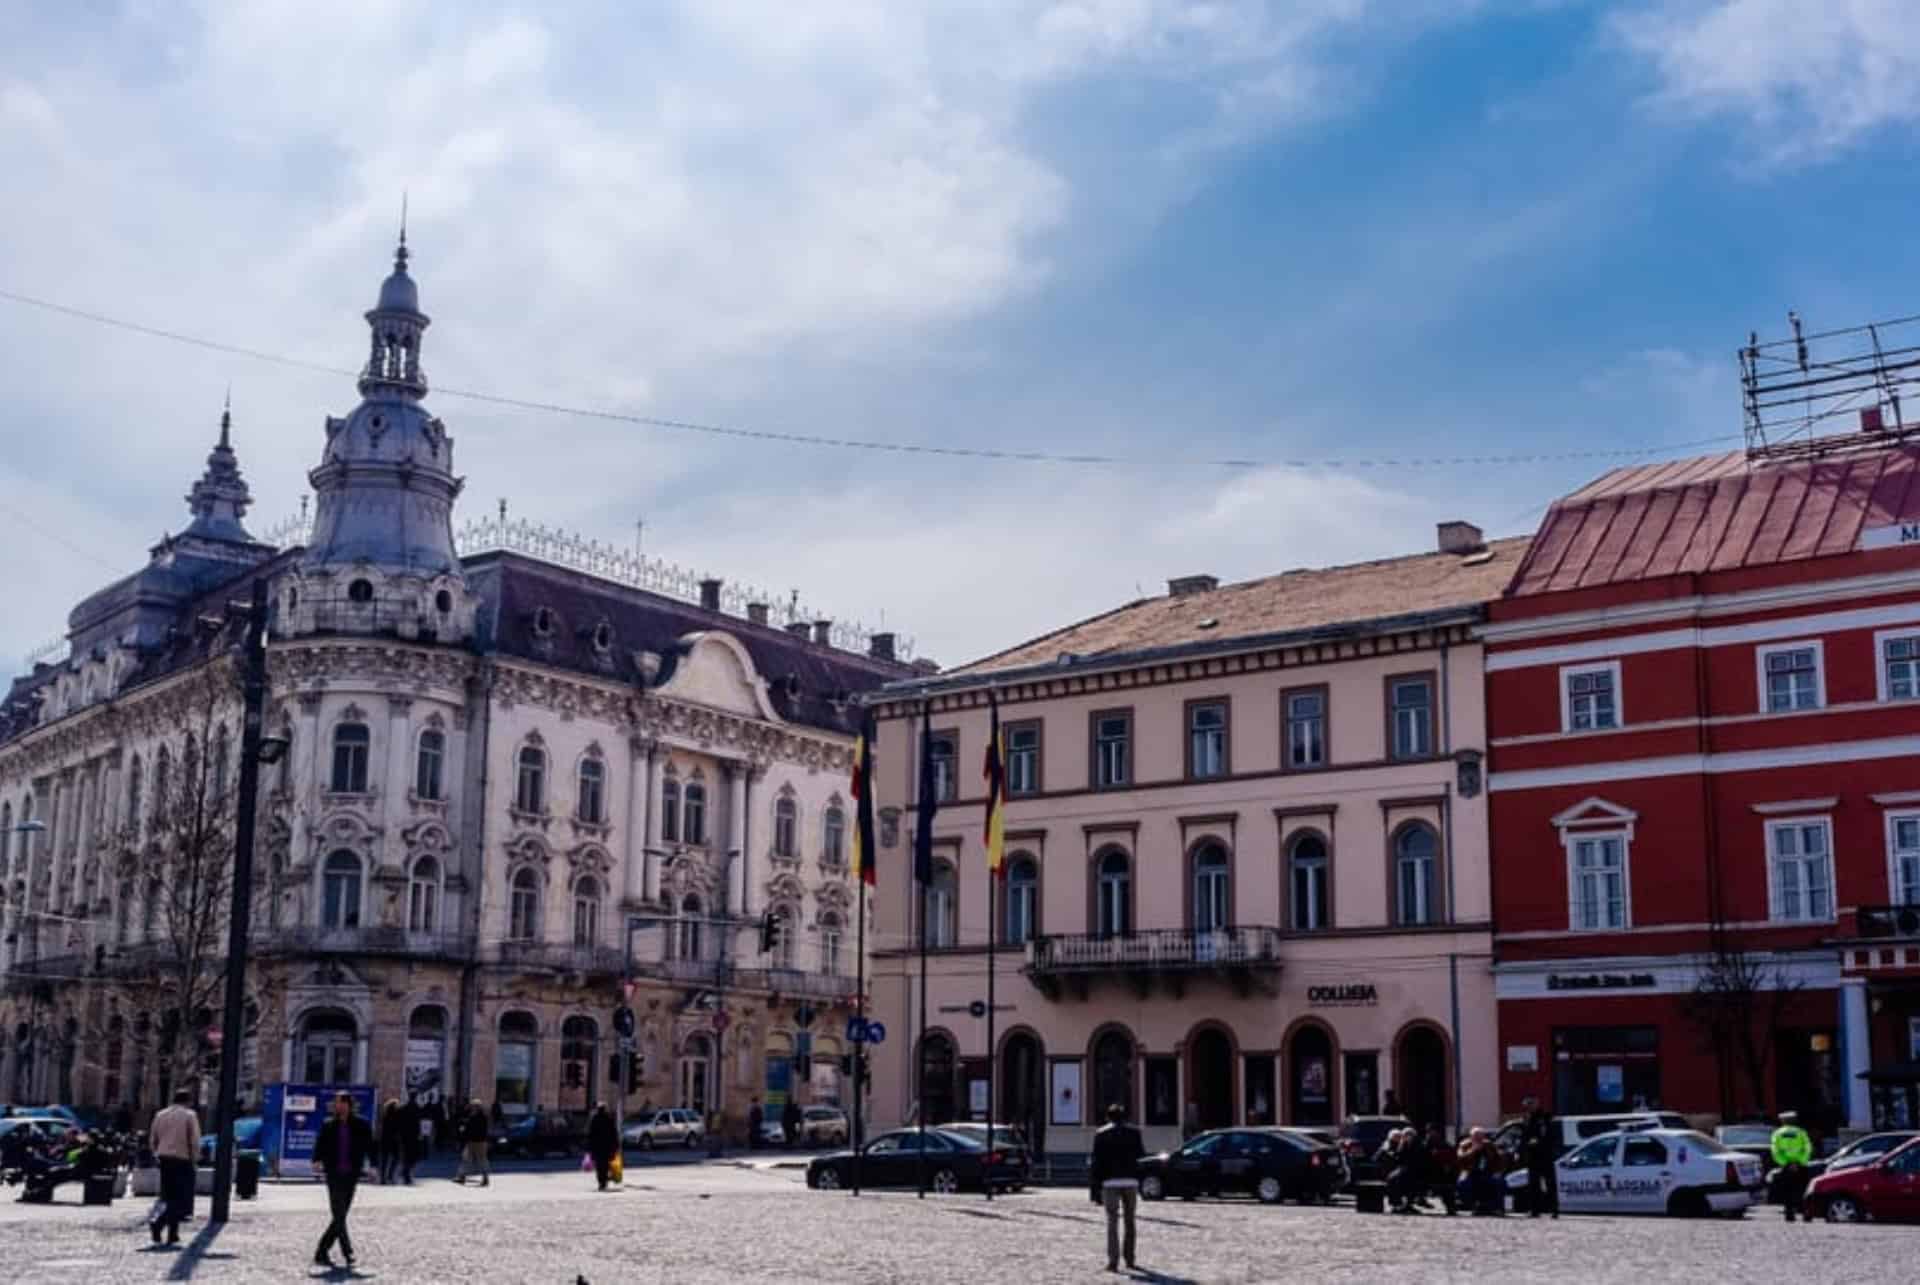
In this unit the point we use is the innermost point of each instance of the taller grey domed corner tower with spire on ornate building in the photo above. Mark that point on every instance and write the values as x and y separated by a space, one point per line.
381 558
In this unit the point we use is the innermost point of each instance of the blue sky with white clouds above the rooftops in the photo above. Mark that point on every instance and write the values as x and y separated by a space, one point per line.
1170 233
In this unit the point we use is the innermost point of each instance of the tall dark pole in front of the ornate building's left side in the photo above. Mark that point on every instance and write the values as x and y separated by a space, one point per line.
254 669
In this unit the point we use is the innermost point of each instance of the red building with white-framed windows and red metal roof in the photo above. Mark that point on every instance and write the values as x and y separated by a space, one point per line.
1704 715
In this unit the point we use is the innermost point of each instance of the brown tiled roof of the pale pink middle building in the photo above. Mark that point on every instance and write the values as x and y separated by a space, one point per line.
1291 602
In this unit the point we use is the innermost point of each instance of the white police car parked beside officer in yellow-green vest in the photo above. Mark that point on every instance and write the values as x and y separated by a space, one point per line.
1660 1173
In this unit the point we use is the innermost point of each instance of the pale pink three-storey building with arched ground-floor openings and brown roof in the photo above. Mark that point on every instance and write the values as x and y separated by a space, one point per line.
1247 860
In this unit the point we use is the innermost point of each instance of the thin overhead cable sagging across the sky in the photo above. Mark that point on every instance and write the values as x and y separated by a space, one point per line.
871 445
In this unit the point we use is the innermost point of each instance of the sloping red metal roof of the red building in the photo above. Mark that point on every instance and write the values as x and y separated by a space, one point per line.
1717 514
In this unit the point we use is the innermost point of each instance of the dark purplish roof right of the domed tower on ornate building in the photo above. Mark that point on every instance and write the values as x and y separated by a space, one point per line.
809 683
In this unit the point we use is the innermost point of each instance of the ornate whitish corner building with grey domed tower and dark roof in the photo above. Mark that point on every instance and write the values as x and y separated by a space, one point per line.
516 794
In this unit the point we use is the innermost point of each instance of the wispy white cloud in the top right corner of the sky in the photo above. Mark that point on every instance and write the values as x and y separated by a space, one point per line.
1808 78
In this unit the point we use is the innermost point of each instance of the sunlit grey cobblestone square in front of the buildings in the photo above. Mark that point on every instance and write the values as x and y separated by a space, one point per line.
754 1223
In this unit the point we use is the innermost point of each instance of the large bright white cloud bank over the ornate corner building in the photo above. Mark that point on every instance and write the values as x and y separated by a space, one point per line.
671 210
